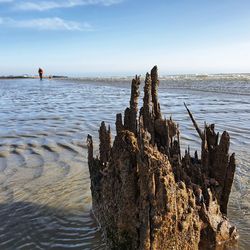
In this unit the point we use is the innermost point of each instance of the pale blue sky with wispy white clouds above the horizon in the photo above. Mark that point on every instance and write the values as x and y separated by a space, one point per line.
124 37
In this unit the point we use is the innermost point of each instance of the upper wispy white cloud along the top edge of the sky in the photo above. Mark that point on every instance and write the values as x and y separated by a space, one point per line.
47 5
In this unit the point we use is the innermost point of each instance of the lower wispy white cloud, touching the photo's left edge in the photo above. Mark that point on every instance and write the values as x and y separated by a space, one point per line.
54 23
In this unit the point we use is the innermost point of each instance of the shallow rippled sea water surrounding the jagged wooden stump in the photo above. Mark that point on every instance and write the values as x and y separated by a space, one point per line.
45 199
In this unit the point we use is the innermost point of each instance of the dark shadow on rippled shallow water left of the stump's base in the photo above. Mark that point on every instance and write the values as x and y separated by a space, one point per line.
27 225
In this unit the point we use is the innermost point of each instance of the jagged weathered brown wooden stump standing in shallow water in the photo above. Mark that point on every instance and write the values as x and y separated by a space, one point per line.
145 195
